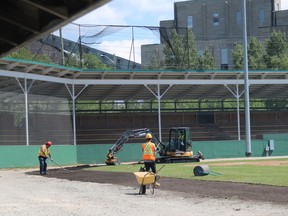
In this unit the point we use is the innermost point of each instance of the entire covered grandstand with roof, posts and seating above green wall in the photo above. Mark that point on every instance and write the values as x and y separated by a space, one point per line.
51 103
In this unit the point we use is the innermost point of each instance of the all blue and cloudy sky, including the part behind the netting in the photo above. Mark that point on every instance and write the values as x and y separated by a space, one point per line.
131 13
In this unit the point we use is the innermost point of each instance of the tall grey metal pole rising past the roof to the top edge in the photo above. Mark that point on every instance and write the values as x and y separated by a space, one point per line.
246 84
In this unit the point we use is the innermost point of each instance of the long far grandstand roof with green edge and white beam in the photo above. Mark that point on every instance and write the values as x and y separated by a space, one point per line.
99 85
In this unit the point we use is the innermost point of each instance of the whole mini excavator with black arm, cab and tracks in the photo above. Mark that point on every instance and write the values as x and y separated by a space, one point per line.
178 148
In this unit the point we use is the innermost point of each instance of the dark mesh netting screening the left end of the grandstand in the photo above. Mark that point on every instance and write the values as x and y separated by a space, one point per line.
48 116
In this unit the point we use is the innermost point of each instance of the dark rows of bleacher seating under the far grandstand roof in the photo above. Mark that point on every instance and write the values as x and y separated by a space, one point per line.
107 129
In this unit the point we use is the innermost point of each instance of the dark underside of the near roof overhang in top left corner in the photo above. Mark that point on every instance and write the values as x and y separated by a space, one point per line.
22 22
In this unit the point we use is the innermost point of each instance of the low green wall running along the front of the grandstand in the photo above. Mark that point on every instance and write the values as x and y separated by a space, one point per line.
26 156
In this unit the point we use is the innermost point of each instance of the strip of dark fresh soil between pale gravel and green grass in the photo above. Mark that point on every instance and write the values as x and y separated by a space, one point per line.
181 187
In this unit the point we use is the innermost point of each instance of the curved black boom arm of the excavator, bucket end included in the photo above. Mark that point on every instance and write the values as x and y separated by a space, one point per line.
112 160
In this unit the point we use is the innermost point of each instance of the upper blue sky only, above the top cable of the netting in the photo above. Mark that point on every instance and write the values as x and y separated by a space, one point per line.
135 12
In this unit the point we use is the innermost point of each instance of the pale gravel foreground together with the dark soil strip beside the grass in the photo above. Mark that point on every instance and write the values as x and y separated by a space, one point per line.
85 193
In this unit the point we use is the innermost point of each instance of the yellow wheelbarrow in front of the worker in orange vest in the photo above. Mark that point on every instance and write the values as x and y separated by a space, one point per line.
145 179
